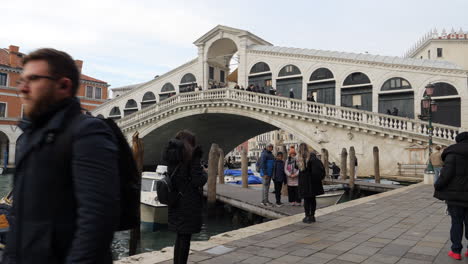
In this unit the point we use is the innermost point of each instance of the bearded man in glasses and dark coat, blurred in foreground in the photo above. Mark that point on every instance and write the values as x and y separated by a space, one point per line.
66 205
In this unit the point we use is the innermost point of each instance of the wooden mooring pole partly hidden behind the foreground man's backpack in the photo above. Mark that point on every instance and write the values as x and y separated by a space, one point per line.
138 151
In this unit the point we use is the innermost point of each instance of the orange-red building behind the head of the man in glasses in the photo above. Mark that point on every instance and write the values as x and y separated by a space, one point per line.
92 93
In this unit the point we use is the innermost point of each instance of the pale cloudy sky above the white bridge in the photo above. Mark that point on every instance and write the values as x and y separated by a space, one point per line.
129 41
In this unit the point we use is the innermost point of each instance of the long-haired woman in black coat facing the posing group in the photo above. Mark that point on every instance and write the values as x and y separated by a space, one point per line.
311 174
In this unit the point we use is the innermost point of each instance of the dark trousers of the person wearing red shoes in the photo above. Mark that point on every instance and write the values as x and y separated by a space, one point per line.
459 216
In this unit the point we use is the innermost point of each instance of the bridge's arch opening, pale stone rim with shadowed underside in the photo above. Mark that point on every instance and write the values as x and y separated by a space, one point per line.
228 127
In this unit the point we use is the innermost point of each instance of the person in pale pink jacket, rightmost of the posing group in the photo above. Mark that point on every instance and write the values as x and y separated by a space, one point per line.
292 172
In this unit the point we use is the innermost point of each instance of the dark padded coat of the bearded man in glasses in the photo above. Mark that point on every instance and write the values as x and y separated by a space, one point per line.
64 213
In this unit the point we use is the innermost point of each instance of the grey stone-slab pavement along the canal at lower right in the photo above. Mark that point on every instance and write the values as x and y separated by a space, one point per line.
406 227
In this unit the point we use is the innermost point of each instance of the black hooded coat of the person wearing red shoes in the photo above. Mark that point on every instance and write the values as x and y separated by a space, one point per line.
452 185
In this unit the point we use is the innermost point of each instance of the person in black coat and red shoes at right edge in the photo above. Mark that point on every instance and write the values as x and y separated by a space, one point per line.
452 187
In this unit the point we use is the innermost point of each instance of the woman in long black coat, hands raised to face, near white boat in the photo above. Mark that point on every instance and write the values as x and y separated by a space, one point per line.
184 164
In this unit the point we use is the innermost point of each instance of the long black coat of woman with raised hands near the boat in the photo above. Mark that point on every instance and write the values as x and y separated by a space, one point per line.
186 216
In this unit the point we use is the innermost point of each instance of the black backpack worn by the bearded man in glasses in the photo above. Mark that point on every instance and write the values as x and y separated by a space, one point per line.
130 180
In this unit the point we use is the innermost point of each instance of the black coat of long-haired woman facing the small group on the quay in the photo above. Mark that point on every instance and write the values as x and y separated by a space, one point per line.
310 179
